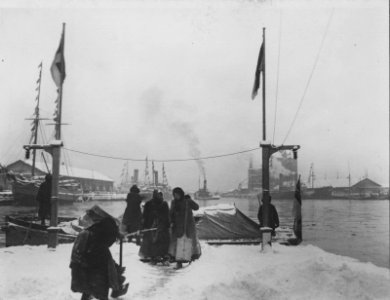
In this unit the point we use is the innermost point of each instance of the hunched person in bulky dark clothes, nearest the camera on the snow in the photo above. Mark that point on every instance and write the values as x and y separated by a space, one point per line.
94 271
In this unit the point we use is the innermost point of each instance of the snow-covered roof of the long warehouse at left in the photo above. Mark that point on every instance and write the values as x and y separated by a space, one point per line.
72 171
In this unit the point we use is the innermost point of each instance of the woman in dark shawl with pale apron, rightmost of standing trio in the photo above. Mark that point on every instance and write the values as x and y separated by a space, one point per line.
181 217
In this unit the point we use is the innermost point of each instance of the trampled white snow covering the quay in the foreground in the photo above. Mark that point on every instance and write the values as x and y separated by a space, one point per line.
224 272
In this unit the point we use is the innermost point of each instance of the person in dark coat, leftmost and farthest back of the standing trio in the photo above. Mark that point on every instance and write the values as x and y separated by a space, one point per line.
132 218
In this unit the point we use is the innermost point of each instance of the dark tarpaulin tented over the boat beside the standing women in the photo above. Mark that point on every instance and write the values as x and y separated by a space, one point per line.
227 226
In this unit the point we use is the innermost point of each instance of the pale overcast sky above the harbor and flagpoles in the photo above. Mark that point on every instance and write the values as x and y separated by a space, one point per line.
153 78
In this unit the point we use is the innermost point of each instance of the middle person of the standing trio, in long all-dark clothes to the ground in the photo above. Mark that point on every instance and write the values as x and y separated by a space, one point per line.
155 243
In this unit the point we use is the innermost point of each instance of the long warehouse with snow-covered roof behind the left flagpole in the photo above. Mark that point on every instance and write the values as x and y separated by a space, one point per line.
90 180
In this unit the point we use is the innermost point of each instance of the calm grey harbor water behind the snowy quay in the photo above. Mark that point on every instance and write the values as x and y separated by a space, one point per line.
355 228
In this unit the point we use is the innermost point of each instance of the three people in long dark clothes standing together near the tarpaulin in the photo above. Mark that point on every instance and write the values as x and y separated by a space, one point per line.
161 226
